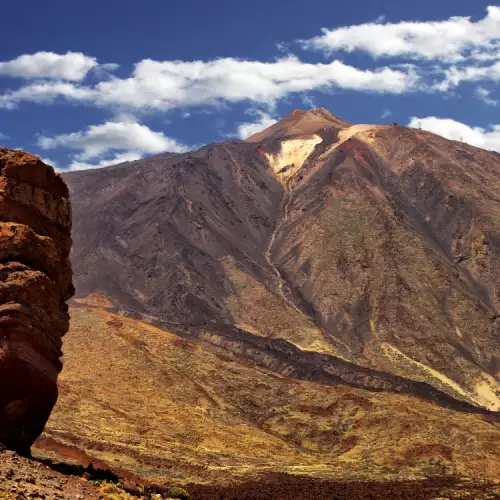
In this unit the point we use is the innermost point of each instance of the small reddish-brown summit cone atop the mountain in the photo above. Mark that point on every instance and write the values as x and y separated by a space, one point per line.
300 122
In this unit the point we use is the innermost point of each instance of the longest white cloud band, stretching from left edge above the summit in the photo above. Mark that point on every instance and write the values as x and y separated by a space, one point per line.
157 85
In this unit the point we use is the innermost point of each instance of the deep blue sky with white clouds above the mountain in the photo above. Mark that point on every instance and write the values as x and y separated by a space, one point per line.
89 84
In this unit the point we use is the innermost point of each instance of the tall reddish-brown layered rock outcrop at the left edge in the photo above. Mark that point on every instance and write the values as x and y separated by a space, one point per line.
35 282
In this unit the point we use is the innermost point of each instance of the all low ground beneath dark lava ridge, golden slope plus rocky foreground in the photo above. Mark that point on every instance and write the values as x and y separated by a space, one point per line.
152 408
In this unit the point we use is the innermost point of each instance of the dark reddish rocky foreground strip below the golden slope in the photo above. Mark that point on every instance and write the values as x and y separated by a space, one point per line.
23 478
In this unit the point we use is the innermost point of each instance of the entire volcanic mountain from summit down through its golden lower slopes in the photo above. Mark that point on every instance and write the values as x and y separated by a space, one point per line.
320 300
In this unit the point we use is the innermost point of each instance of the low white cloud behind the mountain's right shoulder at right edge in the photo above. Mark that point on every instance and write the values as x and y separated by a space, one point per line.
450 129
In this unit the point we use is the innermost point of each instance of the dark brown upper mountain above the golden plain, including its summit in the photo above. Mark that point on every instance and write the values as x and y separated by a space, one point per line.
370 252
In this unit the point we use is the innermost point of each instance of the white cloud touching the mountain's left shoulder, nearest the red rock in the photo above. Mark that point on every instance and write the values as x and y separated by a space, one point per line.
121 139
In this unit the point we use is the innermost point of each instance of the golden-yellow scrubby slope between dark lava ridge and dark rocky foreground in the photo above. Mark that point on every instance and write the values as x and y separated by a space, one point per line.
175 411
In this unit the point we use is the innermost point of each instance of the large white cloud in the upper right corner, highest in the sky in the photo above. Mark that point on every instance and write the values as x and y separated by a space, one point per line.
451 40
